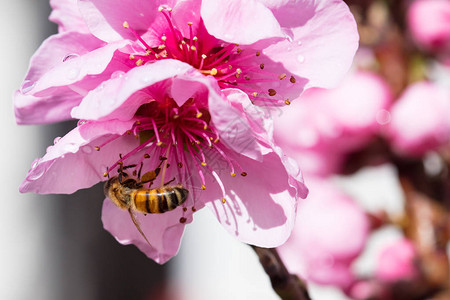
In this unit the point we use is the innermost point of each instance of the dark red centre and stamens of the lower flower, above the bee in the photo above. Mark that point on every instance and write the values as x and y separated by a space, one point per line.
183 138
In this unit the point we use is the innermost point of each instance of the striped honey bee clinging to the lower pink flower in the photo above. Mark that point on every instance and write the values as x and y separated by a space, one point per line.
130 194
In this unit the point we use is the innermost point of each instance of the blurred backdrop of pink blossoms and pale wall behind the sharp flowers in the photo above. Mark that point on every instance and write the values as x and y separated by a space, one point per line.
375 154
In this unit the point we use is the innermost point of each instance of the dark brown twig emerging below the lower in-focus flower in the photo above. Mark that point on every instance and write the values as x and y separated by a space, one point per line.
286 285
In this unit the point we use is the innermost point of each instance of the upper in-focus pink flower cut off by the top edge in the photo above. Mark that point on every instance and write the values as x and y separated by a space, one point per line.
283 48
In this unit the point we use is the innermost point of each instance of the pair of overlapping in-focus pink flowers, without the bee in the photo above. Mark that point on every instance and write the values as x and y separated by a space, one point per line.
184 85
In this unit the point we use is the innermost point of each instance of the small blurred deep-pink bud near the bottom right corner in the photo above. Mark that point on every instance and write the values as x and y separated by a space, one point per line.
396 262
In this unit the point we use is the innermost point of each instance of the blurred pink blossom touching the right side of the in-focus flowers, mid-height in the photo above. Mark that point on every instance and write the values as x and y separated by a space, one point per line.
333 122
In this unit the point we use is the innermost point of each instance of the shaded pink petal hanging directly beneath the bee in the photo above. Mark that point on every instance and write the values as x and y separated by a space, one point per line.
163 231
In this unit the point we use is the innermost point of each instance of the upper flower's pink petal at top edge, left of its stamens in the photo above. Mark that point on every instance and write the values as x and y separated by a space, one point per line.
105 17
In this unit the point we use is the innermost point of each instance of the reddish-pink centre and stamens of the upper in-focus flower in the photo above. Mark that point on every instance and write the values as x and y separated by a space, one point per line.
233 67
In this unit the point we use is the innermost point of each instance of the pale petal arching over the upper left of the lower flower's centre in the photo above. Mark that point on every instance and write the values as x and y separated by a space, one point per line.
117 98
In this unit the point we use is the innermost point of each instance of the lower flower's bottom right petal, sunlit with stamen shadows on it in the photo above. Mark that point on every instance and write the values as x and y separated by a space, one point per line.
259 208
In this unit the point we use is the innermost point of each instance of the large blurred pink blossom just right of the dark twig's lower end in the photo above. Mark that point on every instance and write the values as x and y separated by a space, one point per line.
330 232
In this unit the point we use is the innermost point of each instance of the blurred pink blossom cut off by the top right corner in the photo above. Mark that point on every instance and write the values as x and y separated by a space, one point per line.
429 23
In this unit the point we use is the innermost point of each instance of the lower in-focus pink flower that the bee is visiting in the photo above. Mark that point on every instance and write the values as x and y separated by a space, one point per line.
218 148
